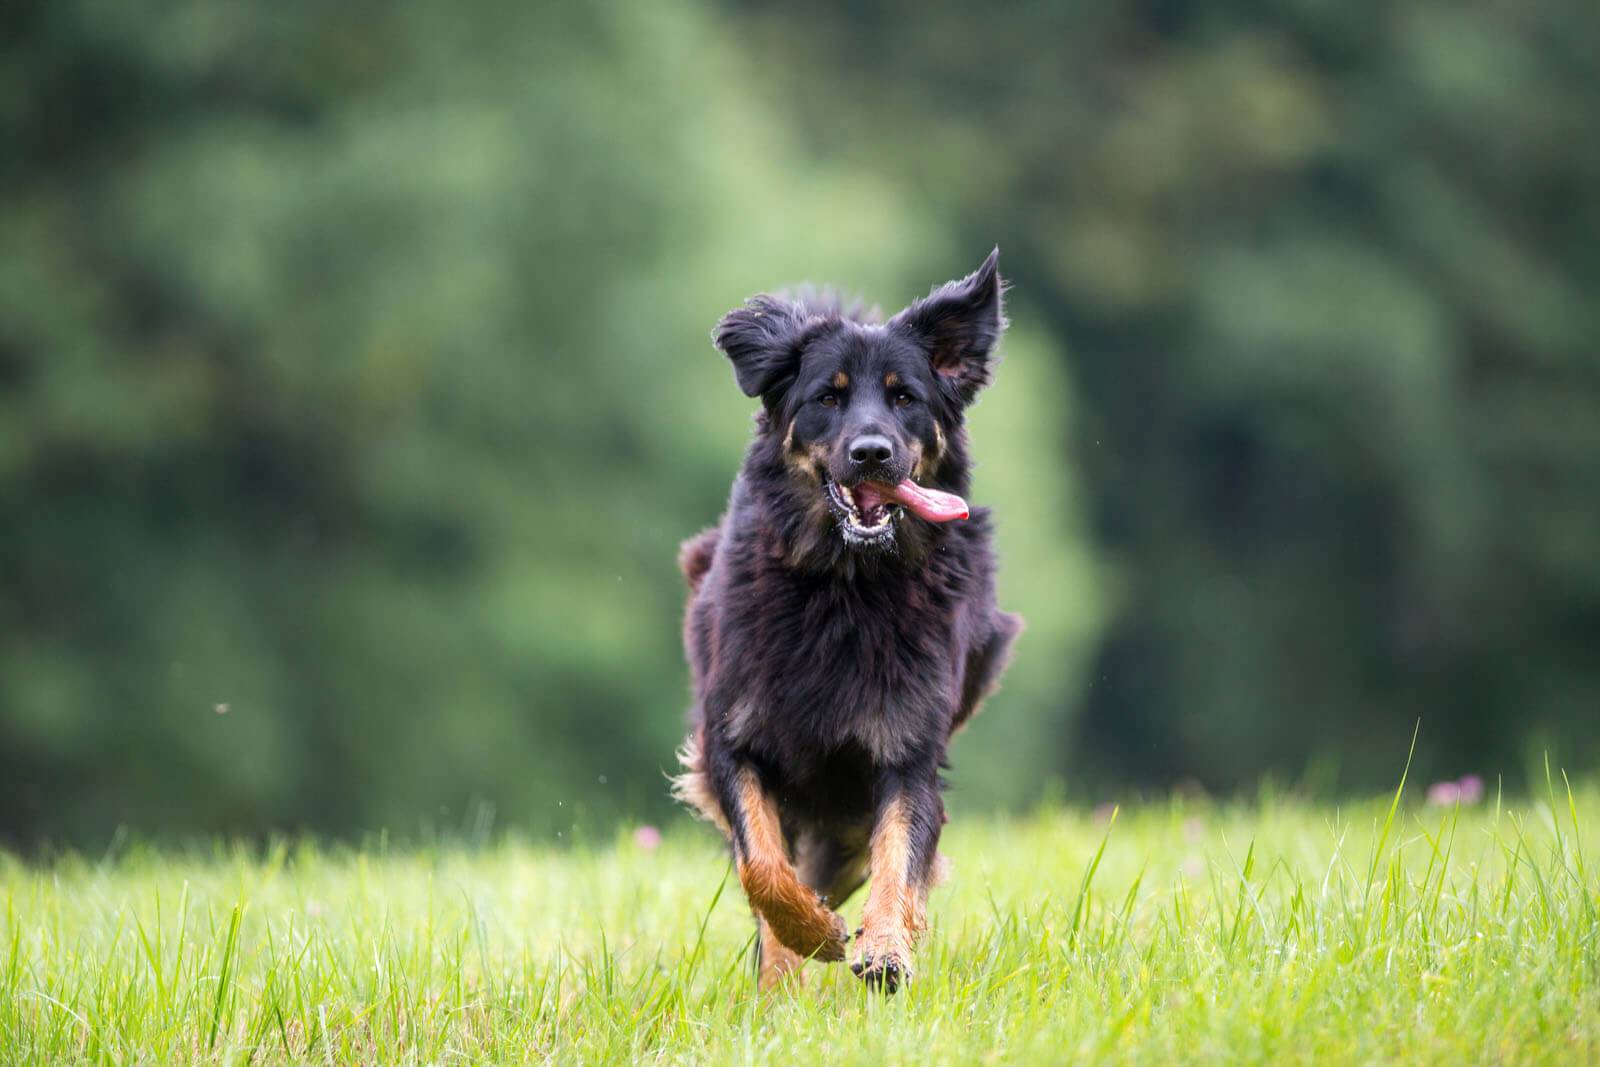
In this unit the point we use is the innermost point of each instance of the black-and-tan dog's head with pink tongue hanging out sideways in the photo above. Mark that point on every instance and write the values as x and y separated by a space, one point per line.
866 415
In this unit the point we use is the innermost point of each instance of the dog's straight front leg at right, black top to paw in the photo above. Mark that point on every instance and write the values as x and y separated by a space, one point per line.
905 844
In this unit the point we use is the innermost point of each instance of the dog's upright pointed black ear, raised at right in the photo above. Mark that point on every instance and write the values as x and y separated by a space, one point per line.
959 326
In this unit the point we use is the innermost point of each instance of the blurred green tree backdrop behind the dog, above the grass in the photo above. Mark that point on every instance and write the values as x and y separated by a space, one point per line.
356 386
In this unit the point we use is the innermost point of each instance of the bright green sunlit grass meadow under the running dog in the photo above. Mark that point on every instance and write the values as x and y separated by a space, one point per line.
1174 932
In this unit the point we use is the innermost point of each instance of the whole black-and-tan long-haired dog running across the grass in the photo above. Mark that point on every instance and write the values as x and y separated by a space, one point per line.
842 618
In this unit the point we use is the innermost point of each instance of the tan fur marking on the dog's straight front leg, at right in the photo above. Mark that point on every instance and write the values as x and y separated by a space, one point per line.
895 911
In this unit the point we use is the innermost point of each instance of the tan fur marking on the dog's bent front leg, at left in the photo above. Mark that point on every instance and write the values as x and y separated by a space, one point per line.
775 890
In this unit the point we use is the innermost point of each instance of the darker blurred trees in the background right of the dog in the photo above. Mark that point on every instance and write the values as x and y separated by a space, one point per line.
1329 279
